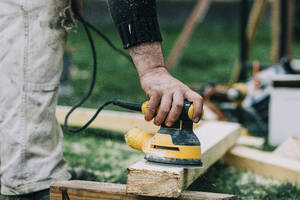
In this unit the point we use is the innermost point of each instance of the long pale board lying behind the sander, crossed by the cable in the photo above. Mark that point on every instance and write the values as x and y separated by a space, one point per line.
113 120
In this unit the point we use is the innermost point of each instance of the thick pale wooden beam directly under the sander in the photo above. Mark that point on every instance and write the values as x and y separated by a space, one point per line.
150 179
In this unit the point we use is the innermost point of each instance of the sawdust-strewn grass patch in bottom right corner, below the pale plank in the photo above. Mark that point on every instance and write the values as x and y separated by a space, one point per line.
246 185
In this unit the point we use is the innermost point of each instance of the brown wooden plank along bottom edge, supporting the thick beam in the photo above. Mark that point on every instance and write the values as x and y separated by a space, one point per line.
96 190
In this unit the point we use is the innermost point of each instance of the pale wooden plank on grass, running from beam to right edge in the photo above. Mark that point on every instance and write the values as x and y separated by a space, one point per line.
265 164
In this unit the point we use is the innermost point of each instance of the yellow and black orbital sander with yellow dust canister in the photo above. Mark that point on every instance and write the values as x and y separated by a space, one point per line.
176 145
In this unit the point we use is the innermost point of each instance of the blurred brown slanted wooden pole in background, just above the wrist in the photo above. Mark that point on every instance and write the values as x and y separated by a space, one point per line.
196 16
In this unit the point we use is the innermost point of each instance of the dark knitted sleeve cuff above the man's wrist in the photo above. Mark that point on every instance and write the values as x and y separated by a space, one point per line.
136 21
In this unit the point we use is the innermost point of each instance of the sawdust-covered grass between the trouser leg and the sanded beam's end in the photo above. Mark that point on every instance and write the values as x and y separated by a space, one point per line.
96 150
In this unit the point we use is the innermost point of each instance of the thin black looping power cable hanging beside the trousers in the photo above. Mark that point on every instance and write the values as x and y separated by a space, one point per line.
86 26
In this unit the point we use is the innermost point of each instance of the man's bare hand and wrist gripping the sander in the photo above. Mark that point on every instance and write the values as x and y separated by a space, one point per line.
164 91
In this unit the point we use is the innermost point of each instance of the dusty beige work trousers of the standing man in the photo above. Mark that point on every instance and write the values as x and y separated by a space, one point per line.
32 36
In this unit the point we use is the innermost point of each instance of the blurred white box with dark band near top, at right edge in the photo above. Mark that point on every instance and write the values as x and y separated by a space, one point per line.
284 110
